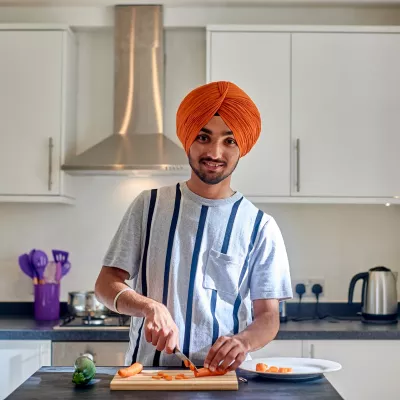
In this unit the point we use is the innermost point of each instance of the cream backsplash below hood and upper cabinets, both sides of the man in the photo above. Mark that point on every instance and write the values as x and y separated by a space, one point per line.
332 242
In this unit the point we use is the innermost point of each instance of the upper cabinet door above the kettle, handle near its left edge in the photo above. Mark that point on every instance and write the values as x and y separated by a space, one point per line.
345 114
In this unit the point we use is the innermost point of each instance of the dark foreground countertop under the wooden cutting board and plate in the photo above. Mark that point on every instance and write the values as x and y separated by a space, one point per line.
53 383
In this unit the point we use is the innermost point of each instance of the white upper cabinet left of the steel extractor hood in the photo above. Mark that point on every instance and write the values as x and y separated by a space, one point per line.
37 113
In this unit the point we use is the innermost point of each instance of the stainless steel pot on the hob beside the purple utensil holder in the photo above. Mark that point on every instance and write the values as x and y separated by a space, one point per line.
83 304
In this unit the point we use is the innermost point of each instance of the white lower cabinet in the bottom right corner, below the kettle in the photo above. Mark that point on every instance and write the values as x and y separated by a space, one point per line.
370 368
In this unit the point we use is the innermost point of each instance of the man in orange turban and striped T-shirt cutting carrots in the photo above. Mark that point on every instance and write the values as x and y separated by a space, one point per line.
208 267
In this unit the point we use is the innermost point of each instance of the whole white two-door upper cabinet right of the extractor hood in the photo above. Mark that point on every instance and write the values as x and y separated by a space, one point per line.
329 99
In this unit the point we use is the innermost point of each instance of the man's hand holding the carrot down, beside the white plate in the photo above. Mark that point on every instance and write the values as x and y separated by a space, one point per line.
231 350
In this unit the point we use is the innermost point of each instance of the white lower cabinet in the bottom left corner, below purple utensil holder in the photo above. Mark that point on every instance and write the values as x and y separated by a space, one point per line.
19 359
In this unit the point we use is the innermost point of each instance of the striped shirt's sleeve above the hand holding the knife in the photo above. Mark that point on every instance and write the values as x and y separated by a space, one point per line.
125 248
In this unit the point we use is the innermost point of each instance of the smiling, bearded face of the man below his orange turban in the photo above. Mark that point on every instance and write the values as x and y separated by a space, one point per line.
214 154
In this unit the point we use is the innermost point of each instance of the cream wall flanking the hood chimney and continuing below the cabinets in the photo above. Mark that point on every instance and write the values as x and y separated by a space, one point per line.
332 242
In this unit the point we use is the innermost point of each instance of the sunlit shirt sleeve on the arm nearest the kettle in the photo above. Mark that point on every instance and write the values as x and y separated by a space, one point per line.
270 273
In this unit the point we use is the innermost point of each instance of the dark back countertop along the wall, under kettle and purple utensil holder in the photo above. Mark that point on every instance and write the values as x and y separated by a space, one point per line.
29 329
